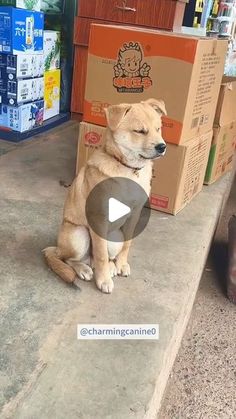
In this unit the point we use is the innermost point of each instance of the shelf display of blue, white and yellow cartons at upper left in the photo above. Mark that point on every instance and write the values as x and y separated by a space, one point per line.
35 65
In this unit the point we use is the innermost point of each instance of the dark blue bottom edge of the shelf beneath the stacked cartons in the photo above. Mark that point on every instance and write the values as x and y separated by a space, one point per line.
16 137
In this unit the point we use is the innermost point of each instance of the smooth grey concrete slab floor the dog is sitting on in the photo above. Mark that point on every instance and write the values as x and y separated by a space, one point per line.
44 370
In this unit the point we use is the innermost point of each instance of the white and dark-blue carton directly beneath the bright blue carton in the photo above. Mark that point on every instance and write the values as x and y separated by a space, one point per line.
22 66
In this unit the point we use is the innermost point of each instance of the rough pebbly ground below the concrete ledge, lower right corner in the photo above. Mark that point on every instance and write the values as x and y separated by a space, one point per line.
203 381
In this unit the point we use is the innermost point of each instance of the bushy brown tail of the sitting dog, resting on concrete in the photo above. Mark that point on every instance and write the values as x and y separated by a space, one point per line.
54 260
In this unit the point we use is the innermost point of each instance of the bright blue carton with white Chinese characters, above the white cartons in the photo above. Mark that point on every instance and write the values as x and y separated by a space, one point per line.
21 31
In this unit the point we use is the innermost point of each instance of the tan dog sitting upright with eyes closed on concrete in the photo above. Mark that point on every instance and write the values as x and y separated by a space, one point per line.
133 141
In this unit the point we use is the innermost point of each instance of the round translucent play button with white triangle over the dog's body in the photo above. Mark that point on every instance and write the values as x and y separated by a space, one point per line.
111 203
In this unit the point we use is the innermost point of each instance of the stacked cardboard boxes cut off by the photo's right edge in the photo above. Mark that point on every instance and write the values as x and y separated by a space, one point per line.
224 132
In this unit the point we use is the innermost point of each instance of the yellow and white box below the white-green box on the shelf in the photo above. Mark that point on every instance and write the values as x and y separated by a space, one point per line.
52 87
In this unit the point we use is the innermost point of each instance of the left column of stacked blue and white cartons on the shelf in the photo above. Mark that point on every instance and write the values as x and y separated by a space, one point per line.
21 68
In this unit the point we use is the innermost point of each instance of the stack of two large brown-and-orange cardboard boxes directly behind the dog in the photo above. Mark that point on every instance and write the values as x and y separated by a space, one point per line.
132 64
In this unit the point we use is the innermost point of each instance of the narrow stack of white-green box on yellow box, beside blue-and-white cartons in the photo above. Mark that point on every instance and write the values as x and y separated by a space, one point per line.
52 74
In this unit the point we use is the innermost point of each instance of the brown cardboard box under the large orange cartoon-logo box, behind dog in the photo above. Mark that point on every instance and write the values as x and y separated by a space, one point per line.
177 177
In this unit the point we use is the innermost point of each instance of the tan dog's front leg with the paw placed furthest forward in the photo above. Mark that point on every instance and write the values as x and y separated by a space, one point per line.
101 263
